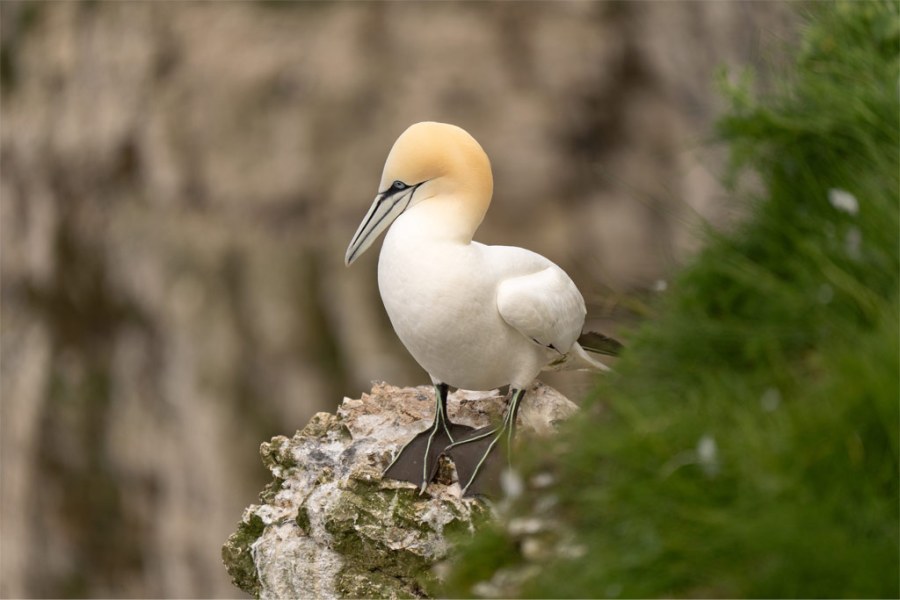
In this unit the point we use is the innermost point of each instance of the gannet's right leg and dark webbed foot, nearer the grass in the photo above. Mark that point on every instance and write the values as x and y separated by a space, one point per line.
477 465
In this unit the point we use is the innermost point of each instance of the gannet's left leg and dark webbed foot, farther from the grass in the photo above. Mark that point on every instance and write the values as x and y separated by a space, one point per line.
417 461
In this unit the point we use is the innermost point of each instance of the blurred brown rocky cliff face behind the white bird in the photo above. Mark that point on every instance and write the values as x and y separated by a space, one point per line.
179 184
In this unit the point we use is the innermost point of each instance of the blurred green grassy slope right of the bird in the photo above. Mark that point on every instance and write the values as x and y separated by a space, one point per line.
748 445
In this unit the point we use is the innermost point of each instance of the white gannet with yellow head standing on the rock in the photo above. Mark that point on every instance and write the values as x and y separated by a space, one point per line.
475 317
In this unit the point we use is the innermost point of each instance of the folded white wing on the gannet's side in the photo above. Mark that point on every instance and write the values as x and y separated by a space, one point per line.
544 305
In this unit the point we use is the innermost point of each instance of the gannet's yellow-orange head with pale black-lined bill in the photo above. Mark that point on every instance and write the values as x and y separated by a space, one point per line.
435 167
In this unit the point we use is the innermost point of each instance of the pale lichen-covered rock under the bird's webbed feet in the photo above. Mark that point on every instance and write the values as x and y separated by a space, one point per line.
329 526
